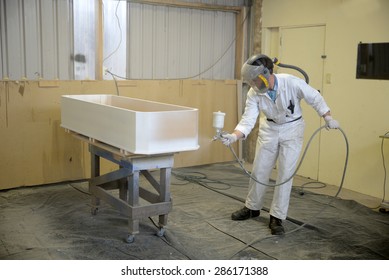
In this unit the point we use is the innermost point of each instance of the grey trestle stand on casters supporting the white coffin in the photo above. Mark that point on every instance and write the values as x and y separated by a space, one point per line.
126 179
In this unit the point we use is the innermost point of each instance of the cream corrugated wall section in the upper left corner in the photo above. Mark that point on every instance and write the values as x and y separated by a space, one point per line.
36 39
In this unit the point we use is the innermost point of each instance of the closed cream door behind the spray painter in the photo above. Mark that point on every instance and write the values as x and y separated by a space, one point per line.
304 47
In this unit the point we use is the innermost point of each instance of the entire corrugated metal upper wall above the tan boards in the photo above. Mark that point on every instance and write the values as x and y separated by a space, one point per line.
155 41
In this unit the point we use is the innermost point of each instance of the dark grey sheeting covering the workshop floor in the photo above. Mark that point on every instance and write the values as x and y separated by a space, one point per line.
54 222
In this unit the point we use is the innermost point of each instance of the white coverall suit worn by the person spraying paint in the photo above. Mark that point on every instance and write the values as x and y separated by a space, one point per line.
280 136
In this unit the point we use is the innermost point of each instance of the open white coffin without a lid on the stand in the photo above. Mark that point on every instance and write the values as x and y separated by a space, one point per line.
134 125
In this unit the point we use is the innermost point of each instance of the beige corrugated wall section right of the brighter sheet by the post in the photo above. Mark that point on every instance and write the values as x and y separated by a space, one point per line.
171 42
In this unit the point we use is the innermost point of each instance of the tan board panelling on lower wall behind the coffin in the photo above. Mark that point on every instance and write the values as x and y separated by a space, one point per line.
36 150
